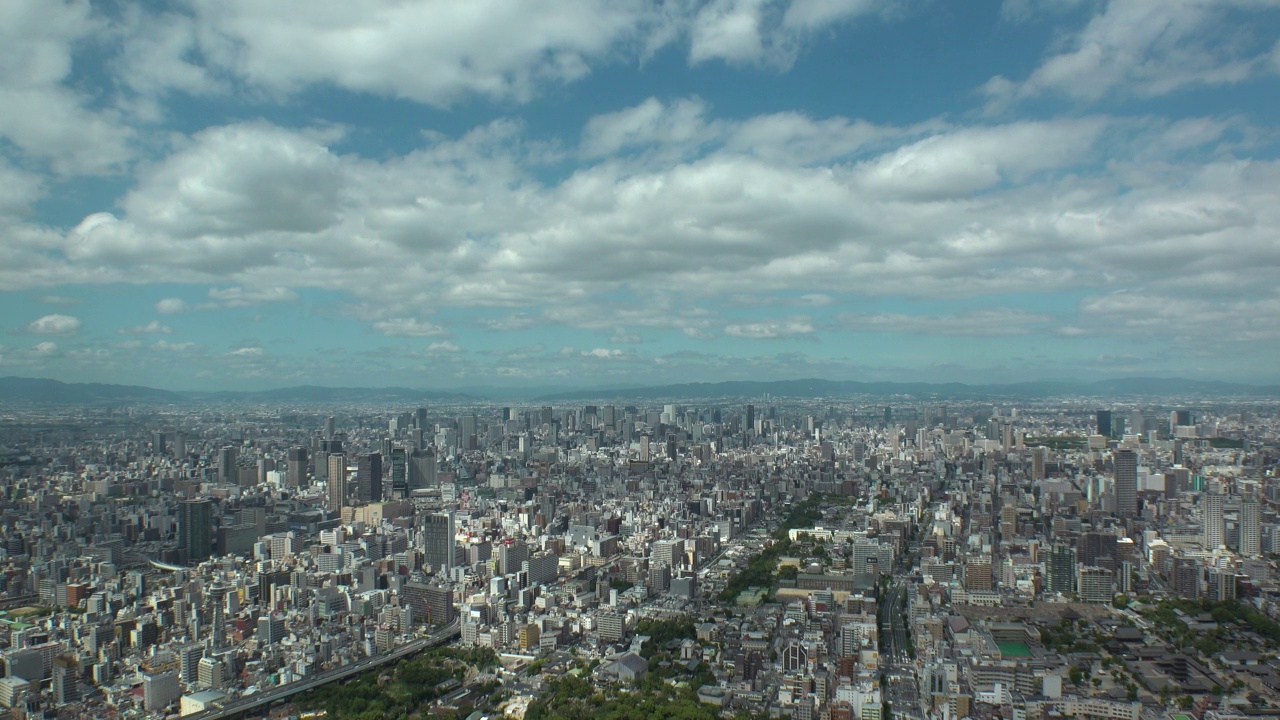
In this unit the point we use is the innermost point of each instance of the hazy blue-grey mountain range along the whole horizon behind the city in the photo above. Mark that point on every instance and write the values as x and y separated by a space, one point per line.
53 393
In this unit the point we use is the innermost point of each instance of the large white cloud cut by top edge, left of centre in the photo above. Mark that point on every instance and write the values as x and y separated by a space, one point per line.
382 47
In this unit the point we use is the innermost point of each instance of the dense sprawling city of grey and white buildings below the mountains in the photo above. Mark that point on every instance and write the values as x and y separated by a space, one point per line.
820 559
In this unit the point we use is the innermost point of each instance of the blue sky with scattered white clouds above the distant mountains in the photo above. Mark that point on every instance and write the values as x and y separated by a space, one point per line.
255 194
